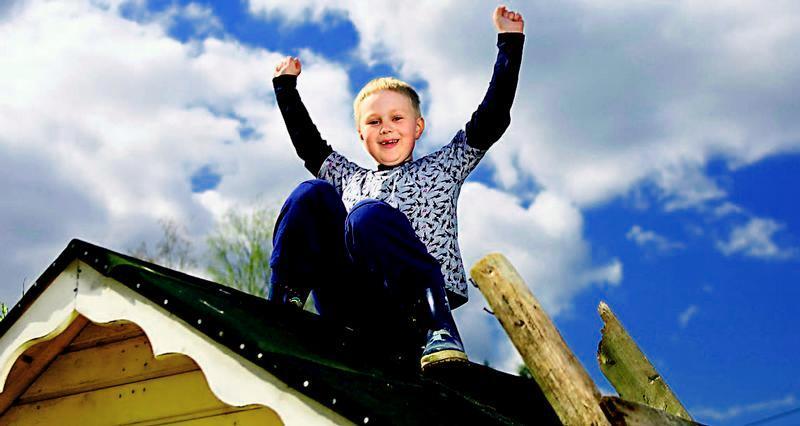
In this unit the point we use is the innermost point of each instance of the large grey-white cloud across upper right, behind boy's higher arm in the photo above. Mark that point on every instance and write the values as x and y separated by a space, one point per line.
610 96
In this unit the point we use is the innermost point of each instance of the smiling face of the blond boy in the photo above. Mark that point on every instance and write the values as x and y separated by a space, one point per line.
389 127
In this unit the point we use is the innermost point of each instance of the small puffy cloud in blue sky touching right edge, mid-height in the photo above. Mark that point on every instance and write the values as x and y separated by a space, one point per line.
755 239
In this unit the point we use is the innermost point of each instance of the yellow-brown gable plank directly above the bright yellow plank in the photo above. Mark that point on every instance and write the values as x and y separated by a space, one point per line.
97 367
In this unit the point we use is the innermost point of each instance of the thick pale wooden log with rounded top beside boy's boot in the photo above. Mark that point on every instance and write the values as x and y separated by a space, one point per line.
563 380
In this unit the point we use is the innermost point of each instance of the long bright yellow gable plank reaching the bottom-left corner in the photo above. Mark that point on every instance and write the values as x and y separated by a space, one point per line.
164 398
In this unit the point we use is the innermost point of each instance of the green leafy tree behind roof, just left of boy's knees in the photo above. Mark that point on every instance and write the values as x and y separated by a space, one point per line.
240 248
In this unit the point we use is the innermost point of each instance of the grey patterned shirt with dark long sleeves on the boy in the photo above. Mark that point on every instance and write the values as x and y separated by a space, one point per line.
426 190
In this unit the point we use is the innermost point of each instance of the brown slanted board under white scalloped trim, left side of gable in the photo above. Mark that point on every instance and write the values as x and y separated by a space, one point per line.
33 361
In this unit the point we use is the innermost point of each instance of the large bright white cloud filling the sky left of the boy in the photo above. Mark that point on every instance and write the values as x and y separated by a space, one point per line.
105 119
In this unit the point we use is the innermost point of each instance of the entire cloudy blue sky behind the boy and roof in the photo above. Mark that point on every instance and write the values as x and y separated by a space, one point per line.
651 161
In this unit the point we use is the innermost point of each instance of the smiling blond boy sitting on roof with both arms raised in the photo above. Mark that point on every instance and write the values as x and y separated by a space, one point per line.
379 248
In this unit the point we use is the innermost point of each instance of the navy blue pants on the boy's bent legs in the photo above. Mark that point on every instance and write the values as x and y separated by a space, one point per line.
367 268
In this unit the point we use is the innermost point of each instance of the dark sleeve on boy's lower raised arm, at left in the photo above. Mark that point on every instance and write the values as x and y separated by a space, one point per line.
308 143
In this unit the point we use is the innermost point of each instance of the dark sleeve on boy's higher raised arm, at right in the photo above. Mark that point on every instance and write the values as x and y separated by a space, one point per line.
493 115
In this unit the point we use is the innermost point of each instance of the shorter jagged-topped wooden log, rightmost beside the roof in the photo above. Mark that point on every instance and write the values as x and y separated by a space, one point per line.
629 371
